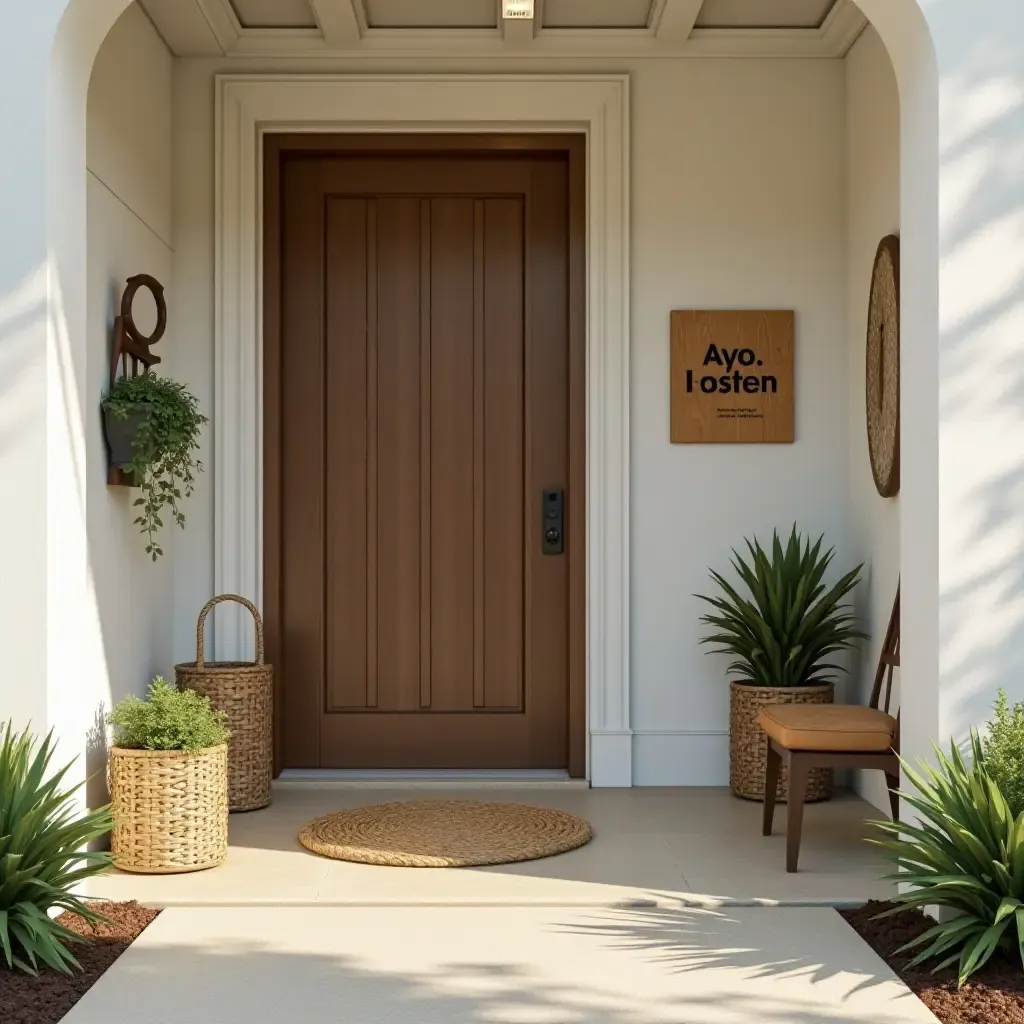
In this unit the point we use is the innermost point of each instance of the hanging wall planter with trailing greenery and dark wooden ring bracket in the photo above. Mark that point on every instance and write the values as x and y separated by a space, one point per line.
152 424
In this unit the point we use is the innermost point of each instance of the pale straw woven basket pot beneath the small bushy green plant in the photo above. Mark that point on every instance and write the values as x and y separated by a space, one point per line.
170 809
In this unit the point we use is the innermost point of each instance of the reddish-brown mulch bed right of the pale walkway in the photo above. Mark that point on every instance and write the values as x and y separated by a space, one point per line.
994 996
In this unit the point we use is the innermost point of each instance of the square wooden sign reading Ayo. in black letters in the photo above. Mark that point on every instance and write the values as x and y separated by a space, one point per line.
733 377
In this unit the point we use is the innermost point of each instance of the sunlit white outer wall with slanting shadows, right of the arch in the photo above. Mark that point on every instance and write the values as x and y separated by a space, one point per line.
982 368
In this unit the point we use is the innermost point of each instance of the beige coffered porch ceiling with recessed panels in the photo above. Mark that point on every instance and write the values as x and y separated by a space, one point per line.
780 28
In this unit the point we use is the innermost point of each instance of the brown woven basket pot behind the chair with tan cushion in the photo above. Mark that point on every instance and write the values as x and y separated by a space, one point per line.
749 745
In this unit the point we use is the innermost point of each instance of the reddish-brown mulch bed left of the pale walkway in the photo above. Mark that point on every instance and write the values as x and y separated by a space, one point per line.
47 1000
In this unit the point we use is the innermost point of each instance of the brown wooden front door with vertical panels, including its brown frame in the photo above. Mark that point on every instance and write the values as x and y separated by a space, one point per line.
424 382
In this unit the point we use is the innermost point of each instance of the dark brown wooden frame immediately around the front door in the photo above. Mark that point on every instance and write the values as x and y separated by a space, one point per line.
573 148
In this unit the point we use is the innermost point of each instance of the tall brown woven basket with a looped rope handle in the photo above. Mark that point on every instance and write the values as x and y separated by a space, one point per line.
244 691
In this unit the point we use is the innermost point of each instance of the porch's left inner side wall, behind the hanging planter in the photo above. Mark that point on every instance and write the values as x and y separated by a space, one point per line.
130 233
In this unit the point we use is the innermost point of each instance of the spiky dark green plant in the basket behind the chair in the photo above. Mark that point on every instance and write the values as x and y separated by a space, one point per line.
783 633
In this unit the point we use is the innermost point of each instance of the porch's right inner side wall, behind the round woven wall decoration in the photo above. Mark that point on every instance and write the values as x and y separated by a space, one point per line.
873 122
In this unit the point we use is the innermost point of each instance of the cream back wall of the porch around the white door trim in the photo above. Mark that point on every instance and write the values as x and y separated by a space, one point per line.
738 201
